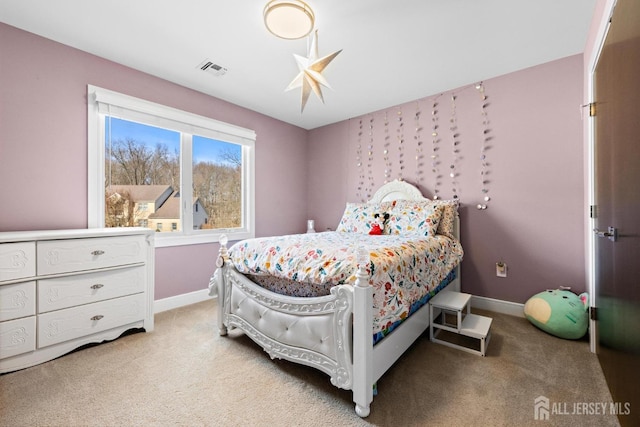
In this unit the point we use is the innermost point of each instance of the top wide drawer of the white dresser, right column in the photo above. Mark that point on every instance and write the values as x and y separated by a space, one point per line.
62 256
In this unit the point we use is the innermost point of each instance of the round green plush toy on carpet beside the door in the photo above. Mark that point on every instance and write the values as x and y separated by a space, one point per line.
559 312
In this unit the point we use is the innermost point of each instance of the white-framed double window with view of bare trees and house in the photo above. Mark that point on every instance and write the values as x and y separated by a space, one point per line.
144 156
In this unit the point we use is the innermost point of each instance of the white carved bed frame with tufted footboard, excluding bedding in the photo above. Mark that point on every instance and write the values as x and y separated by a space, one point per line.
333 333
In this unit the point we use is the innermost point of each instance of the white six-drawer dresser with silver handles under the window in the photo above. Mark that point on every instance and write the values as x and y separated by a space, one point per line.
63 289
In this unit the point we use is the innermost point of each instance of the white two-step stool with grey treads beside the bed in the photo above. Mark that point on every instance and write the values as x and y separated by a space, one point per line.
467 324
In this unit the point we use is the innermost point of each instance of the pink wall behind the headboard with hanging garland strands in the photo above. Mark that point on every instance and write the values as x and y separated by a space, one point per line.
535 218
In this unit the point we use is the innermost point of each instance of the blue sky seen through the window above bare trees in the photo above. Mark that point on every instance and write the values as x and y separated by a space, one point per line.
204 149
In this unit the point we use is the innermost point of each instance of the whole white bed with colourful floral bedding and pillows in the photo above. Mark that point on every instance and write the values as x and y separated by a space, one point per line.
343 314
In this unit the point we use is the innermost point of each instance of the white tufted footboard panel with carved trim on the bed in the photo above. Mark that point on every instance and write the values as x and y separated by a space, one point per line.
311 331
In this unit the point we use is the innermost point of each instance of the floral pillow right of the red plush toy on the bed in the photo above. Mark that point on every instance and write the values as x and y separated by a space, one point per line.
410 217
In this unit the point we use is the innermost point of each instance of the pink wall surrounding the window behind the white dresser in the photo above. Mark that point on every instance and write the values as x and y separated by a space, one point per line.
43 148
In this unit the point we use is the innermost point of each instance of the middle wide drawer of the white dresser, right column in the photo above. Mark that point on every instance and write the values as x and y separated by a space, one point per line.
64 292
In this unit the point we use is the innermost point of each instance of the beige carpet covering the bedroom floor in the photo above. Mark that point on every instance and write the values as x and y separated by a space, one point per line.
184 374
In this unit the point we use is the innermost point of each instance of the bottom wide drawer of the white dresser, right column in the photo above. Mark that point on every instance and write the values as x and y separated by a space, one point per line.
64 325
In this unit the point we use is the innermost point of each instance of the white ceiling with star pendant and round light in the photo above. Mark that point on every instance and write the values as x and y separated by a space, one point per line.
393 51
